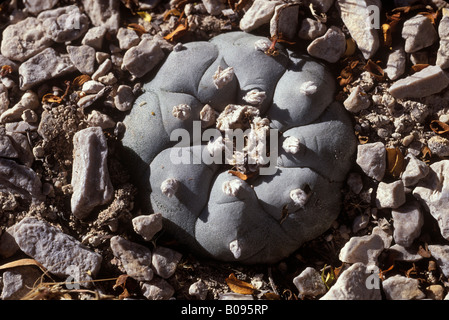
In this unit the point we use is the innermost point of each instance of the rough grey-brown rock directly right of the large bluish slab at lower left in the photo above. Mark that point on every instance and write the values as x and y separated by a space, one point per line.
135 258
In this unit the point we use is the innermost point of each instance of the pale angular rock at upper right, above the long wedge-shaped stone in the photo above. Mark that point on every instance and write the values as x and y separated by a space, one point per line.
419 33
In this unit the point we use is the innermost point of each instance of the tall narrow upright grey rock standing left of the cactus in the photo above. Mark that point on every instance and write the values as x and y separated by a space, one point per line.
90 178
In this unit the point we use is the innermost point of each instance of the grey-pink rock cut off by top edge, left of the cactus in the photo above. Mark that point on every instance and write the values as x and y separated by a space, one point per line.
105 13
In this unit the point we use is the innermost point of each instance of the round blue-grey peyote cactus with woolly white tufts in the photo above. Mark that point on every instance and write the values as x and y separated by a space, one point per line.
231 83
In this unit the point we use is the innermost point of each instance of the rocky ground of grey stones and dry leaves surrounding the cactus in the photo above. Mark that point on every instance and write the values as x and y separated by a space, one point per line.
70 71
